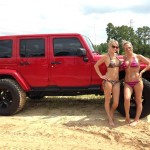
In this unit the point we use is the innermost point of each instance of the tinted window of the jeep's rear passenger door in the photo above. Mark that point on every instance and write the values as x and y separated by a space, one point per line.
32 48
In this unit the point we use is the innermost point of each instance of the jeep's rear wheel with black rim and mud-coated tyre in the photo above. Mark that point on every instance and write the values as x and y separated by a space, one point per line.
12 97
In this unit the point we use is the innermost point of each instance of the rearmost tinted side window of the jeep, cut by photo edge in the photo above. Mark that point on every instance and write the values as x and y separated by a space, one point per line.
6 48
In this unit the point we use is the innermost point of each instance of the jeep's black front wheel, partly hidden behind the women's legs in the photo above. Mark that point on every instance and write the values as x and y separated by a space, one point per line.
145 101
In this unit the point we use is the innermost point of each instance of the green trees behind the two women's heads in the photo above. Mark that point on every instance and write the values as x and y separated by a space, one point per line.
140 38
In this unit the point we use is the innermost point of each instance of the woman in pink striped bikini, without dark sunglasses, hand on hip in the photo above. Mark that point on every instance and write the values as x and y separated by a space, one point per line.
133 80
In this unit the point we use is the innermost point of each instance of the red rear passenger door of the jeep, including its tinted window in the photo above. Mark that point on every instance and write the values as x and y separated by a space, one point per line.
32 60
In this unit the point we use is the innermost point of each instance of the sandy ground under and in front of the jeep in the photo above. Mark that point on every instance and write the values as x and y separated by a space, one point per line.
70 124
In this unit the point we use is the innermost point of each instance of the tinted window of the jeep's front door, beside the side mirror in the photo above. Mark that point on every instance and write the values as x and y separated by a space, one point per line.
66 46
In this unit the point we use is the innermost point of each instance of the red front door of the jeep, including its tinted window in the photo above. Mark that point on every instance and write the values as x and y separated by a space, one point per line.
66 68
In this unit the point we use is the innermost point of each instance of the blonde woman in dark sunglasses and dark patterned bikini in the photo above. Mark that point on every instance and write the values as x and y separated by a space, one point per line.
111 83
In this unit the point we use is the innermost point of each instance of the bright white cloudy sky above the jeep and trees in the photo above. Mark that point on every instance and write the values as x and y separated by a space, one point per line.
88 17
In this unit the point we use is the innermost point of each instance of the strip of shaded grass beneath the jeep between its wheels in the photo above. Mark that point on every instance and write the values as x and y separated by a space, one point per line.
67 101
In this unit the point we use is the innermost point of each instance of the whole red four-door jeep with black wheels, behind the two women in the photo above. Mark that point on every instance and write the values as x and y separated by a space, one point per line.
50 65
